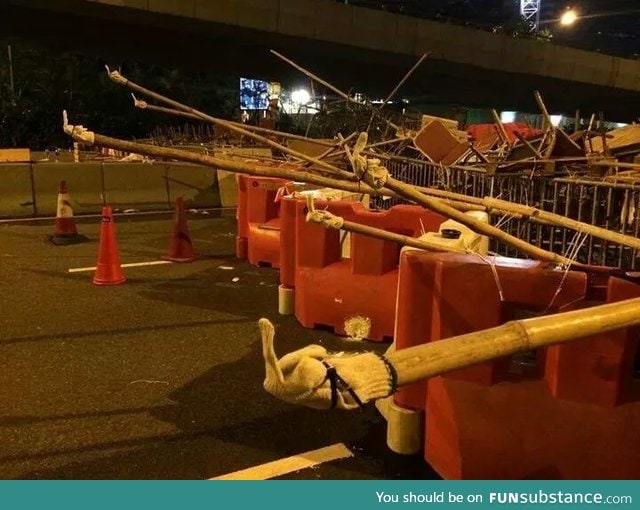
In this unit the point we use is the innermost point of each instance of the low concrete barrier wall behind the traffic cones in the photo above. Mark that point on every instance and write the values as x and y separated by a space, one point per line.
30 189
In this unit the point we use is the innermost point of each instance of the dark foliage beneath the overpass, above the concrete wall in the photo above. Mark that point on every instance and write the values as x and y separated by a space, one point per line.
45 83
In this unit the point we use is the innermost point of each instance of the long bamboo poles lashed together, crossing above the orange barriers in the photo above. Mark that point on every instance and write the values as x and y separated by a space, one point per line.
318 171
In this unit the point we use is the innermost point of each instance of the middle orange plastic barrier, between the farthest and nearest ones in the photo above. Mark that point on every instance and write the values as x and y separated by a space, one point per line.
330 289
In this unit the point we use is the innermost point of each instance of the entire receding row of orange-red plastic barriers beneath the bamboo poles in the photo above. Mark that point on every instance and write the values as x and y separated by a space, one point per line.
568 411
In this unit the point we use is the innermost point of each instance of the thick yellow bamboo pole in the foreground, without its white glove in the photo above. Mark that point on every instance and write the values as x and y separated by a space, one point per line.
435 358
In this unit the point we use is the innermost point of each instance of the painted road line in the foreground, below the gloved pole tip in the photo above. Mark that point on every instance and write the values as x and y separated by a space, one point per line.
290 464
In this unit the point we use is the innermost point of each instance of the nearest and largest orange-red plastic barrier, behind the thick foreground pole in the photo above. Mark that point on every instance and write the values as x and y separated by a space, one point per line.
568 411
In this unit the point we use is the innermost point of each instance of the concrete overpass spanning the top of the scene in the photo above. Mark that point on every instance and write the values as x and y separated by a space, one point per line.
349 46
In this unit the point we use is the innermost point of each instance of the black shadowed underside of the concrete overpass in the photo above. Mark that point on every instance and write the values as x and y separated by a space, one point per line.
118 34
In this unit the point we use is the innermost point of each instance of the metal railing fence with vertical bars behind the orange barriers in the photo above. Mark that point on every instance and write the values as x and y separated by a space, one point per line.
611 205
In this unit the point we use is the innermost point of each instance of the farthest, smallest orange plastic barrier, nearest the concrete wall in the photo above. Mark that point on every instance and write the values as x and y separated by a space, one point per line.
258 219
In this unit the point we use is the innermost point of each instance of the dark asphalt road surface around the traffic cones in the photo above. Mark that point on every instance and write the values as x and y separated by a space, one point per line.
161 377
